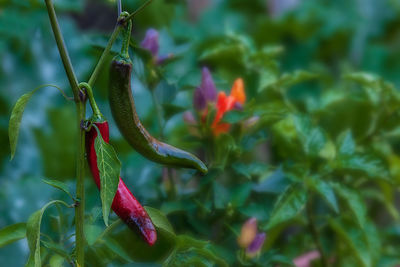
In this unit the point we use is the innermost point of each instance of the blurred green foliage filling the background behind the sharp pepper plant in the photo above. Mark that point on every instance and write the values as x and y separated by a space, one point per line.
319 168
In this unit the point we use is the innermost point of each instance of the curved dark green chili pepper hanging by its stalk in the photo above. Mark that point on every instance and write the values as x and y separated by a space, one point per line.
124 113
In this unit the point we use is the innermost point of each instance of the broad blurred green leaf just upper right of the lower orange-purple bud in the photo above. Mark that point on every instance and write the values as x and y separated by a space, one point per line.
288 205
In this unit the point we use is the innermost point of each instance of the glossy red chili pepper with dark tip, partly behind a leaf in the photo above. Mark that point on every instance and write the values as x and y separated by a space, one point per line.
124 204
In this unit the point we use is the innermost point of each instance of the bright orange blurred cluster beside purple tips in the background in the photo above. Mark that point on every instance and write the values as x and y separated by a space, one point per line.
226 103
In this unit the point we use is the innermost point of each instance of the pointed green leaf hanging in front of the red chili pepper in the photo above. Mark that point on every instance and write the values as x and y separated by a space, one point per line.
109 170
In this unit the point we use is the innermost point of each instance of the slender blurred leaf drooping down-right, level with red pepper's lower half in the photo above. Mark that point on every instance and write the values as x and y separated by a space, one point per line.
354 202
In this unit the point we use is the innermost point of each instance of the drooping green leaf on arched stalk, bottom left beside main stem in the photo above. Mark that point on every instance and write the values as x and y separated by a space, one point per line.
33 234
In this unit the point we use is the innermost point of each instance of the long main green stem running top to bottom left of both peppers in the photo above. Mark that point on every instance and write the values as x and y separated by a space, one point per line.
80 106
